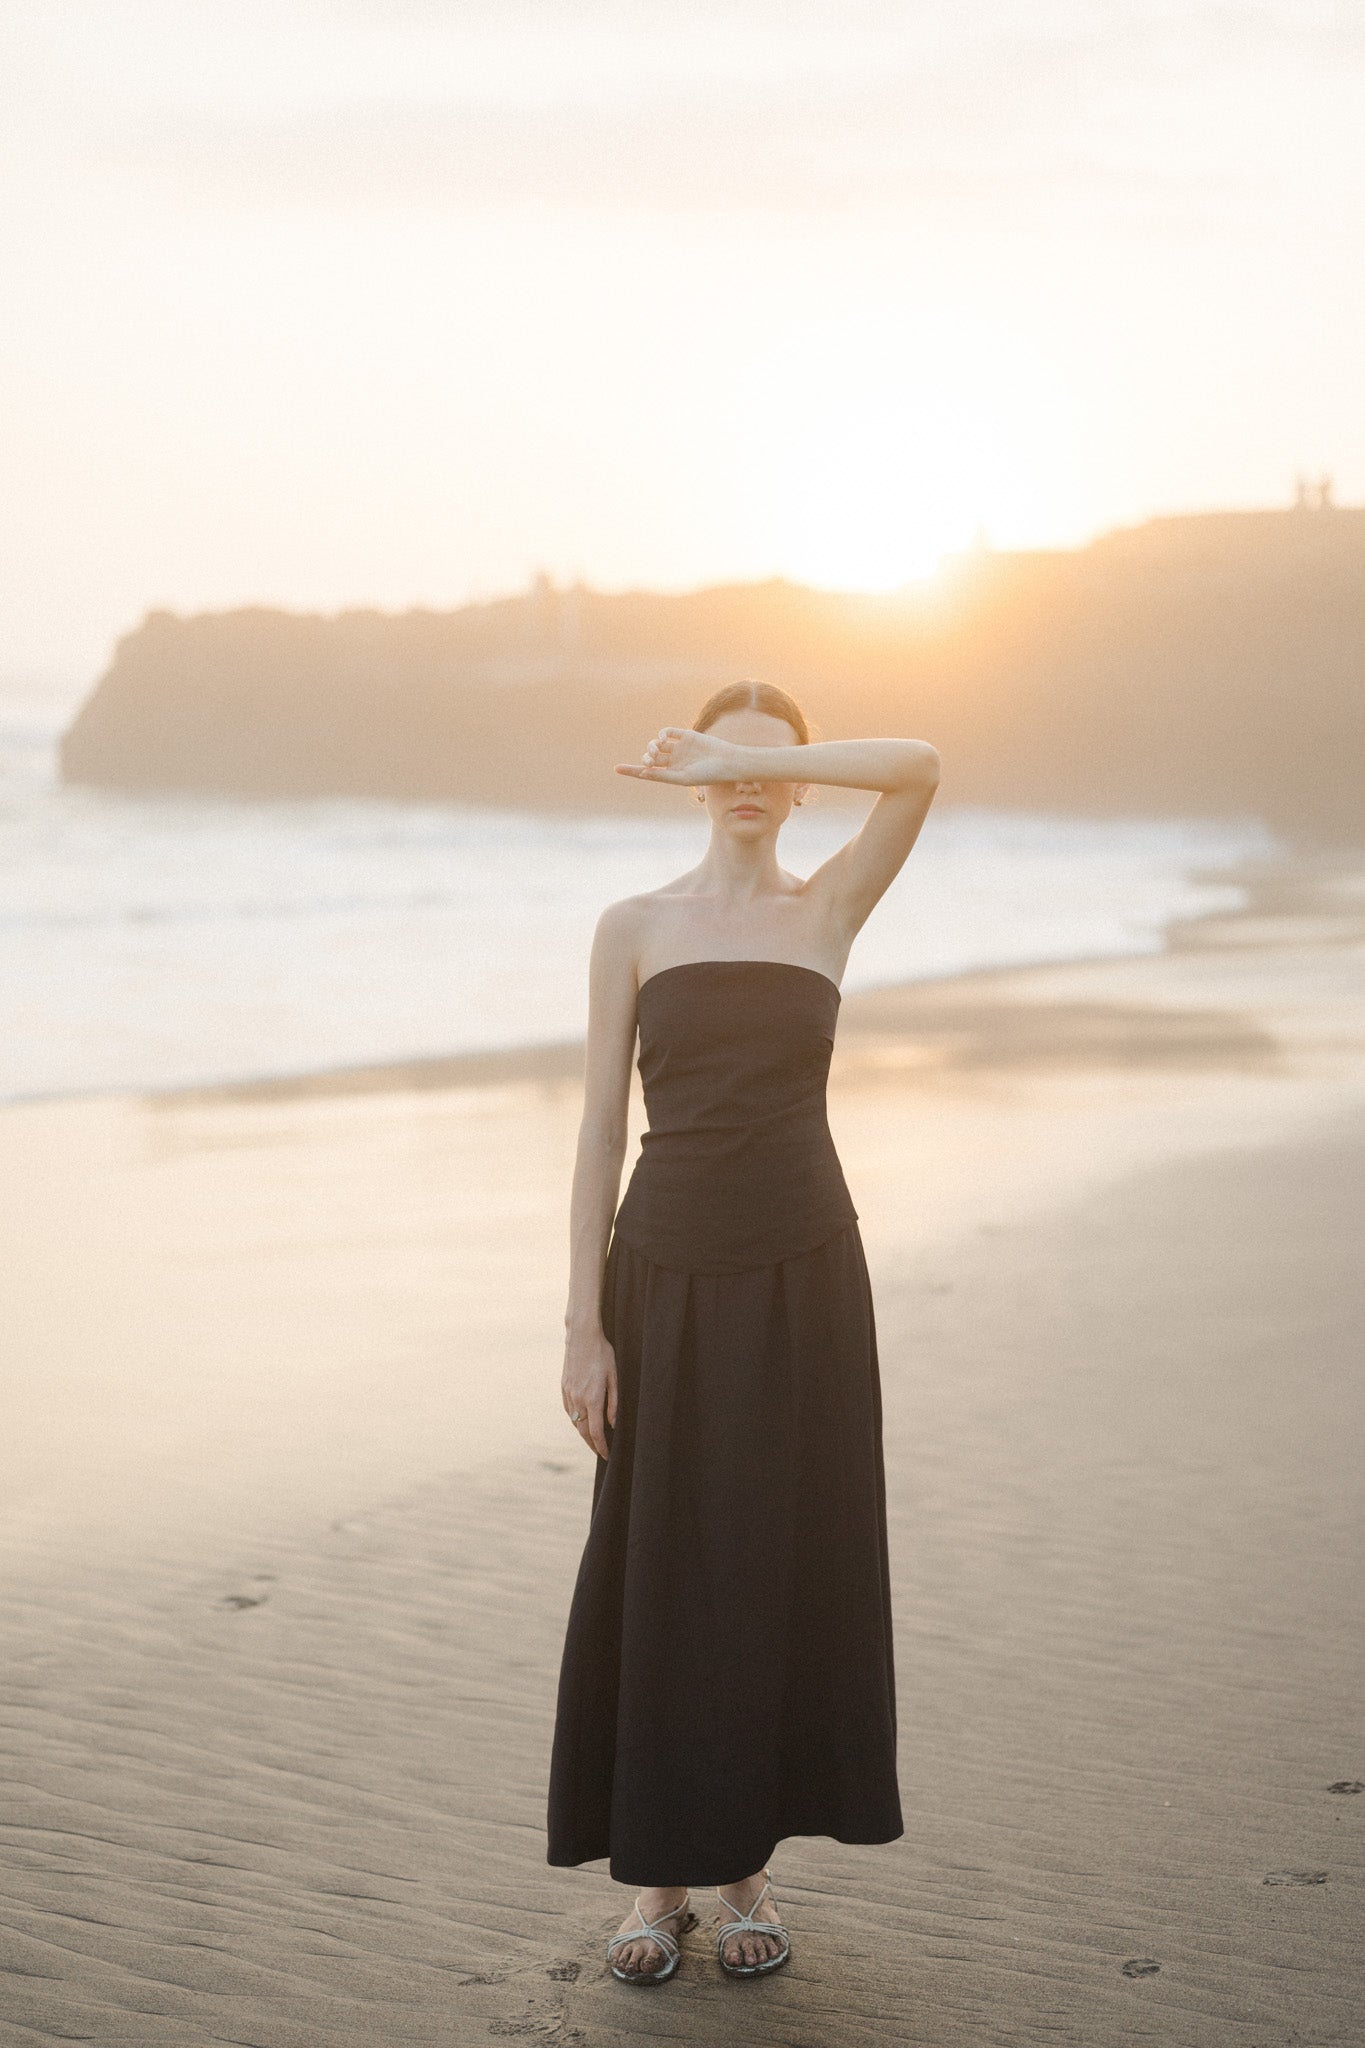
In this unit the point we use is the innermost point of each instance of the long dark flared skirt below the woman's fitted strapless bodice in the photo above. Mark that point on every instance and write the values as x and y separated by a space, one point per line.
728 1672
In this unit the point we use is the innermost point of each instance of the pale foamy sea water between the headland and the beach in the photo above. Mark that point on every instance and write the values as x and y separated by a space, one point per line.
161 941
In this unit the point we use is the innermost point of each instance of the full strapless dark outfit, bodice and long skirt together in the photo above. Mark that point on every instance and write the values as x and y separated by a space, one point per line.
728 1674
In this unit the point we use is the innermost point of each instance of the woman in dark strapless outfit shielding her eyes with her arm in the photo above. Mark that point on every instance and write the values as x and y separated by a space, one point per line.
728 1674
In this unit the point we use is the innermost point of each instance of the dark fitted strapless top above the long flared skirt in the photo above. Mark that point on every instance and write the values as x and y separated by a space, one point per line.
738 1166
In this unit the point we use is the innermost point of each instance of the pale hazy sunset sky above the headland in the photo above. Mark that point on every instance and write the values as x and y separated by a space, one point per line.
328 302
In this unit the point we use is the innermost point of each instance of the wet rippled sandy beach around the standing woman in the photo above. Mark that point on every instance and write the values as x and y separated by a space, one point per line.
294 1517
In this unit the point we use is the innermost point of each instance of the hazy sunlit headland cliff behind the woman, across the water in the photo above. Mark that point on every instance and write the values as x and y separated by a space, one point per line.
1206 665
